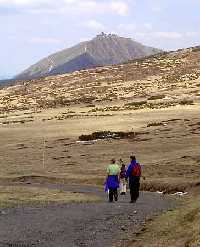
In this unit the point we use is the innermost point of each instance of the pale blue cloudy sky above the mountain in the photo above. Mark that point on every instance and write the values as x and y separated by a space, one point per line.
32 29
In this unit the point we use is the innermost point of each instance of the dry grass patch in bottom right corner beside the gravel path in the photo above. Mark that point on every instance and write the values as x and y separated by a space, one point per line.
177 228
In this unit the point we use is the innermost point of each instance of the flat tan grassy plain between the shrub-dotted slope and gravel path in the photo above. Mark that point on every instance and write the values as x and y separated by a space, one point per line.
167 144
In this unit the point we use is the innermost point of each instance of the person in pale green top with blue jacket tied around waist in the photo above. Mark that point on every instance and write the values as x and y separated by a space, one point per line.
112 180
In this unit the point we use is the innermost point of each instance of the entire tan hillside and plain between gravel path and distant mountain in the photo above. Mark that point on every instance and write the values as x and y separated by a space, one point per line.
157 98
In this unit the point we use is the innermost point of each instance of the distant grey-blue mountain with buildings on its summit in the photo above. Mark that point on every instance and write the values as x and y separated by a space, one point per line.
102 50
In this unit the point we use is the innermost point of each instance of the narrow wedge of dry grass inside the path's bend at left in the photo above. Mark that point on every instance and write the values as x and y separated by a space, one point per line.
18 195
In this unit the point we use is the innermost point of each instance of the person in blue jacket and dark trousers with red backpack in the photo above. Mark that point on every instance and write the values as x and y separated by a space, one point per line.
133 174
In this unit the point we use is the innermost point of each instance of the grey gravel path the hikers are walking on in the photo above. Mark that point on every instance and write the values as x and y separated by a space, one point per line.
78 225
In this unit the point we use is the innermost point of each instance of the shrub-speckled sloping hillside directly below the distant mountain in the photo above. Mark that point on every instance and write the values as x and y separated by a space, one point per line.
166 79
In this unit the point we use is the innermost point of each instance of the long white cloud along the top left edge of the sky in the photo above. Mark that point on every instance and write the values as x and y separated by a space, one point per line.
118 7
